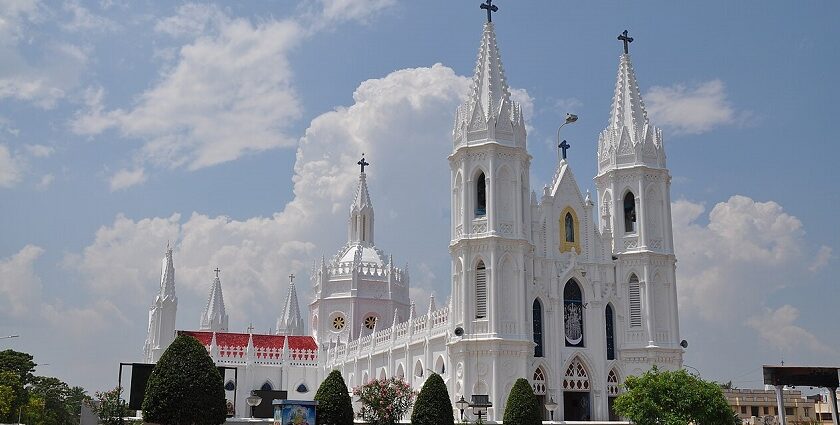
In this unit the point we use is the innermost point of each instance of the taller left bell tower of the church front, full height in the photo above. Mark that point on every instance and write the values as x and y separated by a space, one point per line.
490 249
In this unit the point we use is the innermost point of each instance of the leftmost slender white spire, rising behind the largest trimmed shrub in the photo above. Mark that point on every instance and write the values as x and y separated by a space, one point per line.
161 331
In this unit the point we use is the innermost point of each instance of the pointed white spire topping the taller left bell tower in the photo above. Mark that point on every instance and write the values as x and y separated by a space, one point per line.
489 113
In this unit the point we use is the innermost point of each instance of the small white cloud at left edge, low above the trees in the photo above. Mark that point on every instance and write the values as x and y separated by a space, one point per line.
20 286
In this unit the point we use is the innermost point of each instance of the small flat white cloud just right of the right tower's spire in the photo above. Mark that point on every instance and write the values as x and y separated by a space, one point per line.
690 110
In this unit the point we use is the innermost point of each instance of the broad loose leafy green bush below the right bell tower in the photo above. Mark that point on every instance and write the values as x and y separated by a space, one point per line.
673 398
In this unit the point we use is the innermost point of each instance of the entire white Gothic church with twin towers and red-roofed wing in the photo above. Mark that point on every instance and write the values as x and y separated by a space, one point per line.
572 293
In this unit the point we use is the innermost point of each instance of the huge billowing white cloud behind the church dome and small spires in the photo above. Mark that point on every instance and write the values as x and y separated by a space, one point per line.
403 121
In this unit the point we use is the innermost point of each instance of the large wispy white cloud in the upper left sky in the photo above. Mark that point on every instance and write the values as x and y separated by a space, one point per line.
229 94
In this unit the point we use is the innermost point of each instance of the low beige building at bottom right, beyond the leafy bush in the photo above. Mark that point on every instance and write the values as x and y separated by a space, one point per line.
759 407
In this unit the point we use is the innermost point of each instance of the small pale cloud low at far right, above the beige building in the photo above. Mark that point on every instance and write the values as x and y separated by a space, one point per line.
777 328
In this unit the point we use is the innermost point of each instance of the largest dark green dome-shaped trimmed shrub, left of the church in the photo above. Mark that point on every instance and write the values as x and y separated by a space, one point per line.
185 387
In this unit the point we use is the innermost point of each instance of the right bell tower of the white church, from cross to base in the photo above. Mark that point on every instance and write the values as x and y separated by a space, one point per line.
634 192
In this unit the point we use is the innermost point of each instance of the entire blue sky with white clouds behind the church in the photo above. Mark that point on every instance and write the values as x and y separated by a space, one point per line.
233 129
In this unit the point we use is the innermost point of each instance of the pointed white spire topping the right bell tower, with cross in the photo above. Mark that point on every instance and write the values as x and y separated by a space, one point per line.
629 139
